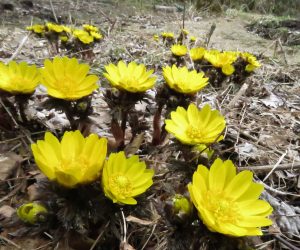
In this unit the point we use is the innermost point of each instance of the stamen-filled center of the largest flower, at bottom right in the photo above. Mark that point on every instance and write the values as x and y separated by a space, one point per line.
224 209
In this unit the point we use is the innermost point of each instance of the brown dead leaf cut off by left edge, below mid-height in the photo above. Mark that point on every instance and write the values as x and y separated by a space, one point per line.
8 162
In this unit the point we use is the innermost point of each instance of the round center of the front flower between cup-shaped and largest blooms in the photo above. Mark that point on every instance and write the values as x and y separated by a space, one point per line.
120 185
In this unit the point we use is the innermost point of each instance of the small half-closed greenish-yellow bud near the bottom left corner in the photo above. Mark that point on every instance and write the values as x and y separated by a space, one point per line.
32 212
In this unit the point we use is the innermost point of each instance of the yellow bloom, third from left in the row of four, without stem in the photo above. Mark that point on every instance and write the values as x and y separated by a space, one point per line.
132 78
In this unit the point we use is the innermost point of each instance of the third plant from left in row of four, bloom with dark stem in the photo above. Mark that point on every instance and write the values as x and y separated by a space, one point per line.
131 82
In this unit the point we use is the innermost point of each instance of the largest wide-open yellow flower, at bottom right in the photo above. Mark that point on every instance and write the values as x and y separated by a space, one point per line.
228 202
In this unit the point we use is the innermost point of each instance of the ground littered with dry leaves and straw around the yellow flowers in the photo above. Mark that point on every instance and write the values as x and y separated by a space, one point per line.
263 116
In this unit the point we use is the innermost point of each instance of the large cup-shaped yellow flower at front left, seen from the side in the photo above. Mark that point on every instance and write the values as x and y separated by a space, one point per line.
75 160
